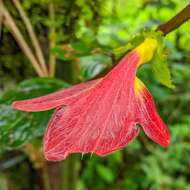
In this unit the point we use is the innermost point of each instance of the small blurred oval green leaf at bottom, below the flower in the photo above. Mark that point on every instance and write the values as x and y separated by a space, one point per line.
105 173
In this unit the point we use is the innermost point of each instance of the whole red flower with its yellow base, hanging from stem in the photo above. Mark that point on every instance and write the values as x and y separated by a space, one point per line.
101 116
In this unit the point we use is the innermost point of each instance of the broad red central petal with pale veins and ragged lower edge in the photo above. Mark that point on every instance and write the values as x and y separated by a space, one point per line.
99 121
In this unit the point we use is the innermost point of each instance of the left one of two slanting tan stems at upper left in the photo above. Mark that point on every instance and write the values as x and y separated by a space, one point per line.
9 22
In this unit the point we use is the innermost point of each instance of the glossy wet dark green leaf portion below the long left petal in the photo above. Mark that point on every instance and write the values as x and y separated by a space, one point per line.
17 128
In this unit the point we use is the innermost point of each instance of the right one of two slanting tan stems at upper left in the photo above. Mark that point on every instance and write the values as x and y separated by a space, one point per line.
32 35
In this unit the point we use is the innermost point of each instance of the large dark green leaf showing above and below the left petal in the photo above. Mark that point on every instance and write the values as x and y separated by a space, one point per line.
16 127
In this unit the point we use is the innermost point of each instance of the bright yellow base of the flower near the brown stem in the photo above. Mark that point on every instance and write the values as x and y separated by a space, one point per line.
146 50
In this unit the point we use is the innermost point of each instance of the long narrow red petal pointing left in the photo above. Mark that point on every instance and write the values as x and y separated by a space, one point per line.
53 100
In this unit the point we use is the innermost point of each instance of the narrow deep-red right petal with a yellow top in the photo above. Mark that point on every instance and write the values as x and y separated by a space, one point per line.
148 117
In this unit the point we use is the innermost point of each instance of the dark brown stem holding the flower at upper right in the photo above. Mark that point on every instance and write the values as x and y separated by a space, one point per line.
176 21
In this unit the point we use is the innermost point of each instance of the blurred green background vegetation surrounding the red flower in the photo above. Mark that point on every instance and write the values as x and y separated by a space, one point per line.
79 36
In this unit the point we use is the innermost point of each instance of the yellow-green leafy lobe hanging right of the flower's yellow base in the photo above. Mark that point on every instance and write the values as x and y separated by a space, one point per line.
160 68
